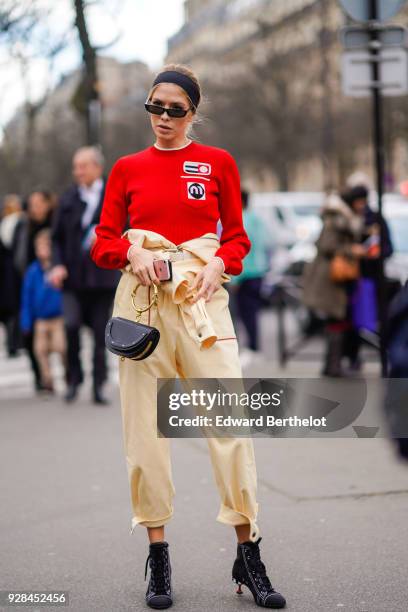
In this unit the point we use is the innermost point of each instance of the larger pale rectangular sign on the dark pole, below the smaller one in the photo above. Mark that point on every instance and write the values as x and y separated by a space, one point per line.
357 78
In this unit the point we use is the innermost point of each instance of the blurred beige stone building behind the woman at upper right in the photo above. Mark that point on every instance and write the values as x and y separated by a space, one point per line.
296 43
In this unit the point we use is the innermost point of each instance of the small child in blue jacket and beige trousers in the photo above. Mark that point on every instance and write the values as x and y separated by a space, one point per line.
41 310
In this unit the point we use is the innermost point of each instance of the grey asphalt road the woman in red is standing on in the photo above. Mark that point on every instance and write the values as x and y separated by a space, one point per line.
333 513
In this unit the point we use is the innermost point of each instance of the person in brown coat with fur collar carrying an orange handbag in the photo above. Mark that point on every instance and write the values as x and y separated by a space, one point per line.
340 235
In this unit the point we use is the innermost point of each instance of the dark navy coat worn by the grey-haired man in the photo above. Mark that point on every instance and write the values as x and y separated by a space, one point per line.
67 244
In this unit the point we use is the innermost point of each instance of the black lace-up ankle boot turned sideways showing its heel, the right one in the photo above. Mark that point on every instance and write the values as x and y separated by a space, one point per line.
249 570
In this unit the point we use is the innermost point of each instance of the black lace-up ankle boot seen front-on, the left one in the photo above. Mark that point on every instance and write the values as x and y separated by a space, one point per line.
158 594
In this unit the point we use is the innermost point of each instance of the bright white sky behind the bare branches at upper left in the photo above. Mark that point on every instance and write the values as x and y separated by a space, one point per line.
143 25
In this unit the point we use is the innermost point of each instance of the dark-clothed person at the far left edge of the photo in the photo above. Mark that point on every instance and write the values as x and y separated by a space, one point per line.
10 279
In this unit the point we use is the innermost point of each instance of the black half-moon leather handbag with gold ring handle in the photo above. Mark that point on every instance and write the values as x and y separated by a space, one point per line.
132 339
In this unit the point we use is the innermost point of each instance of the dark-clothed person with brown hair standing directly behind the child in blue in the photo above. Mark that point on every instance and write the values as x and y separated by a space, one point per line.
38 216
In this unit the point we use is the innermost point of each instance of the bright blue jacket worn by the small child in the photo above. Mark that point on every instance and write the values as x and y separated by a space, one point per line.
38 300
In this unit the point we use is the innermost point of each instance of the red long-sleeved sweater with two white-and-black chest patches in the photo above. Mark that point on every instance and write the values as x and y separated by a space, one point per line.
180 194
